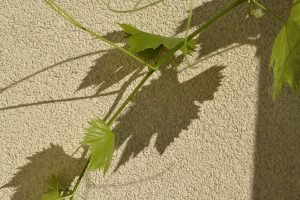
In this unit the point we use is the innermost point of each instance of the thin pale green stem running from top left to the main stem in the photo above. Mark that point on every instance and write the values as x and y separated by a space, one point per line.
77 24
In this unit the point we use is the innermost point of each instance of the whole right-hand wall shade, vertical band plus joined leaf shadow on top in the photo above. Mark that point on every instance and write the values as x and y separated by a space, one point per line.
277 147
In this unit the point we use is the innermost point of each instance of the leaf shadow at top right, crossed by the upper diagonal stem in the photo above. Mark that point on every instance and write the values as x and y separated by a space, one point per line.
225 32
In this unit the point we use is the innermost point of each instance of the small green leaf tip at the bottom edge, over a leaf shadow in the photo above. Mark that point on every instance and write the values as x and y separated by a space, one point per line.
54 191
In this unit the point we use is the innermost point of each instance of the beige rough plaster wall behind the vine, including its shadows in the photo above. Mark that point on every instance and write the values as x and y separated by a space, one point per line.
208 132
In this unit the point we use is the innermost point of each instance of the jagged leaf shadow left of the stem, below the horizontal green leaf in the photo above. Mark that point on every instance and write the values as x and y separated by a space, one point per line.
111 68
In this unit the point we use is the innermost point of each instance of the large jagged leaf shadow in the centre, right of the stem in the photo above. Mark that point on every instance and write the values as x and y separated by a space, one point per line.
165 108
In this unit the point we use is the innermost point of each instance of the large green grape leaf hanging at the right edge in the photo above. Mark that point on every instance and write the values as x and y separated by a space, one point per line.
285 59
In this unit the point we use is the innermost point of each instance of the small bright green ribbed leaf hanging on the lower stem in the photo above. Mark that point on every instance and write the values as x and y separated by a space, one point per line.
101 141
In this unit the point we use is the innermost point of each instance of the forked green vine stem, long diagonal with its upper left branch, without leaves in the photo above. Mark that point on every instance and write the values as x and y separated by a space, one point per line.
152 69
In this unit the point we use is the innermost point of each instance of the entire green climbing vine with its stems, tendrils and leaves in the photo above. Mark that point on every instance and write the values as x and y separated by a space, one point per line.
154 51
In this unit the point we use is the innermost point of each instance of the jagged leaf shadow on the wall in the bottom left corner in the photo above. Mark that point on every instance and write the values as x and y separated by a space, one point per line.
30 182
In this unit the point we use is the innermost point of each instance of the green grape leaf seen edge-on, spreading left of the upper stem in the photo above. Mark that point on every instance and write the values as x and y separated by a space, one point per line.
140 41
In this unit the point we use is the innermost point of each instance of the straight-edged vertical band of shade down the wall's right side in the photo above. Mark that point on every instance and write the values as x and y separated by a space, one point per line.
277 153
